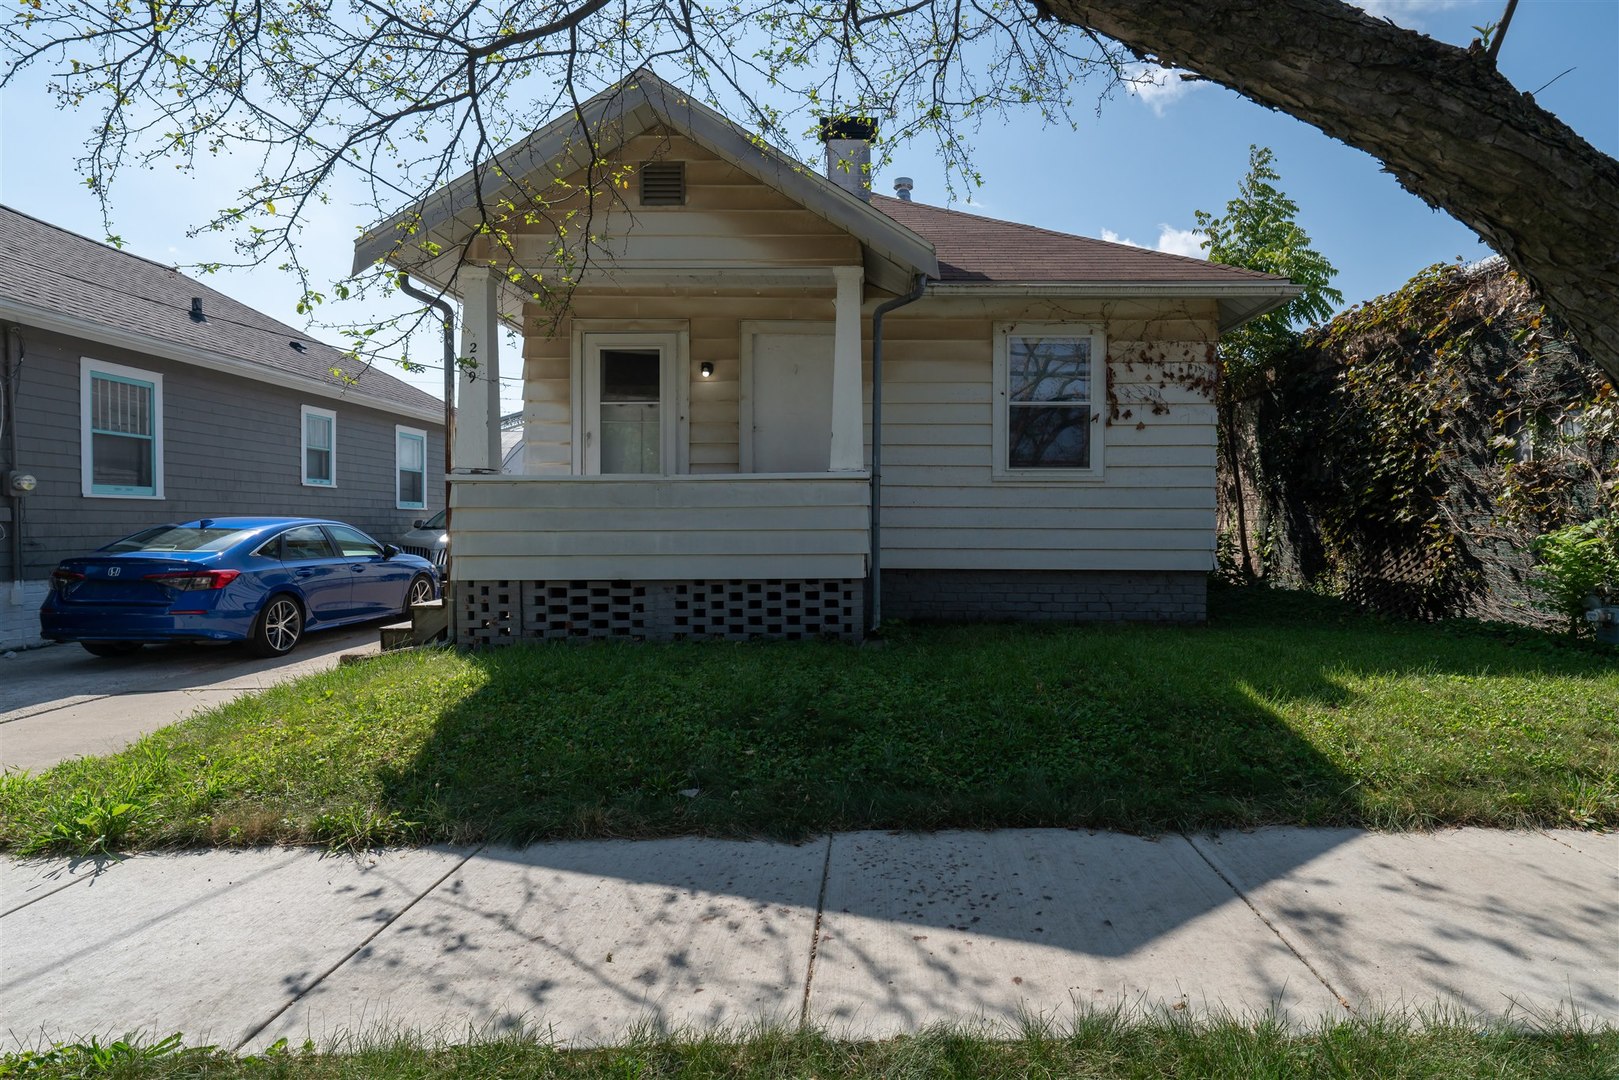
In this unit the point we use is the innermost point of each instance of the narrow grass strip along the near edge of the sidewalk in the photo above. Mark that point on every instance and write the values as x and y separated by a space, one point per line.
1100 1047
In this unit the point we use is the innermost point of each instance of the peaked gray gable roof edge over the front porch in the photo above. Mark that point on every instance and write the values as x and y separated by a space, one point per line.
619 114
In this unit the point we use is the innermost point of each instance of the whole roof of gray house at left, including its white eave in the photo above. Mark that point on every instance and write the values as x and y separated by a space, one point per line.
66 283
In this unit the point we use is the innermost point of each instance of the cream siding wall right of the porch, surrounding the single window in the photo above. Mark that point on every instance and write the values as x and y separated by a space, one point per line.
1155 506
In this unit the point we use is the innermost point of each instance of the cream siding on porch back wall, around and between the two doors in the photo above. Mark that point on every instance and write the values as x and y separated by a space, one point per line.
715 325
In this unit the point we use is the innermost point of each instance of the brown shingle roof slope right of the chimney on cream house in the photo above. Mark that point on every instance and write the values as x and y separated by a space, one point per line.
985 250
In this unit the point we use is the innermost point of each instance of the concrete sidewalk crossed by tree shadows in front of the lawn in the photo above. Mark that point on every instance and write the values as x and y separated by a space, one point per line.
865 933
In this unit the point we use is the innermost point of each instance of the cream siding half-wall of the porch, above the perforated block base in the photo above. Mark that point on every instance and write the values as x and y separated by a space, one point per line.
576 529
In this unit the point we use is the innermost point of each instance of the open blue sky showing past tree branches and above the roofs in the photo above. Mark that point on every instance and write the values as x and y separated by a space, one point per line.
1136 172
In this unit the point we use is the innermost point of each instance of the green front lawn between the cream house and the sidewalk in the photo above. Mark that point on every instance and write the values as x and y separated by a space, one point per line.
1283 708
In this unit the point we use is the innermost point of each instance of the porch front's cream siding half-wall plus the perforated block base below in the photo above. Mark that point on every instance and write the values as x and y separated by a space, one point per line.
658 558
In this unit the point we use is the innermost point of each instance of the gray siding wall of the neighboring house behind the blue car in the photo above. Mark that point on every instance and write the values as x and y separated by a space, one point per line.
231 446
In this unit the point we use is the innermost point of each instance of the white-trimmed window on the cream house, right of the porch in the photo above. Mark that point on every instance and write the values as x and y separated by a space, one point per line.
1052 389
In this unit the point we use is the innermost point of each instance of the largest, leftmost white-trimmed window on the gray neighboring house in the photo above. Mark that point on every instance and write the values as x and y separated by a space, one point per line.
121 432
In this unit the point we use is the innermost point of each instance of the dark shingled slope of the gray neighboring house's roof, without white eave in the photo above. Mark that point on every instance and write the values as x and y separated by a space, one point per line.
49 268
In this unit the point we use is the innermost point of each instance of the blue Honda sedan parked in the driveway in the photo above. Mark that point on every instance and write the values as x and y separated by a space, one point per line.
257 580
